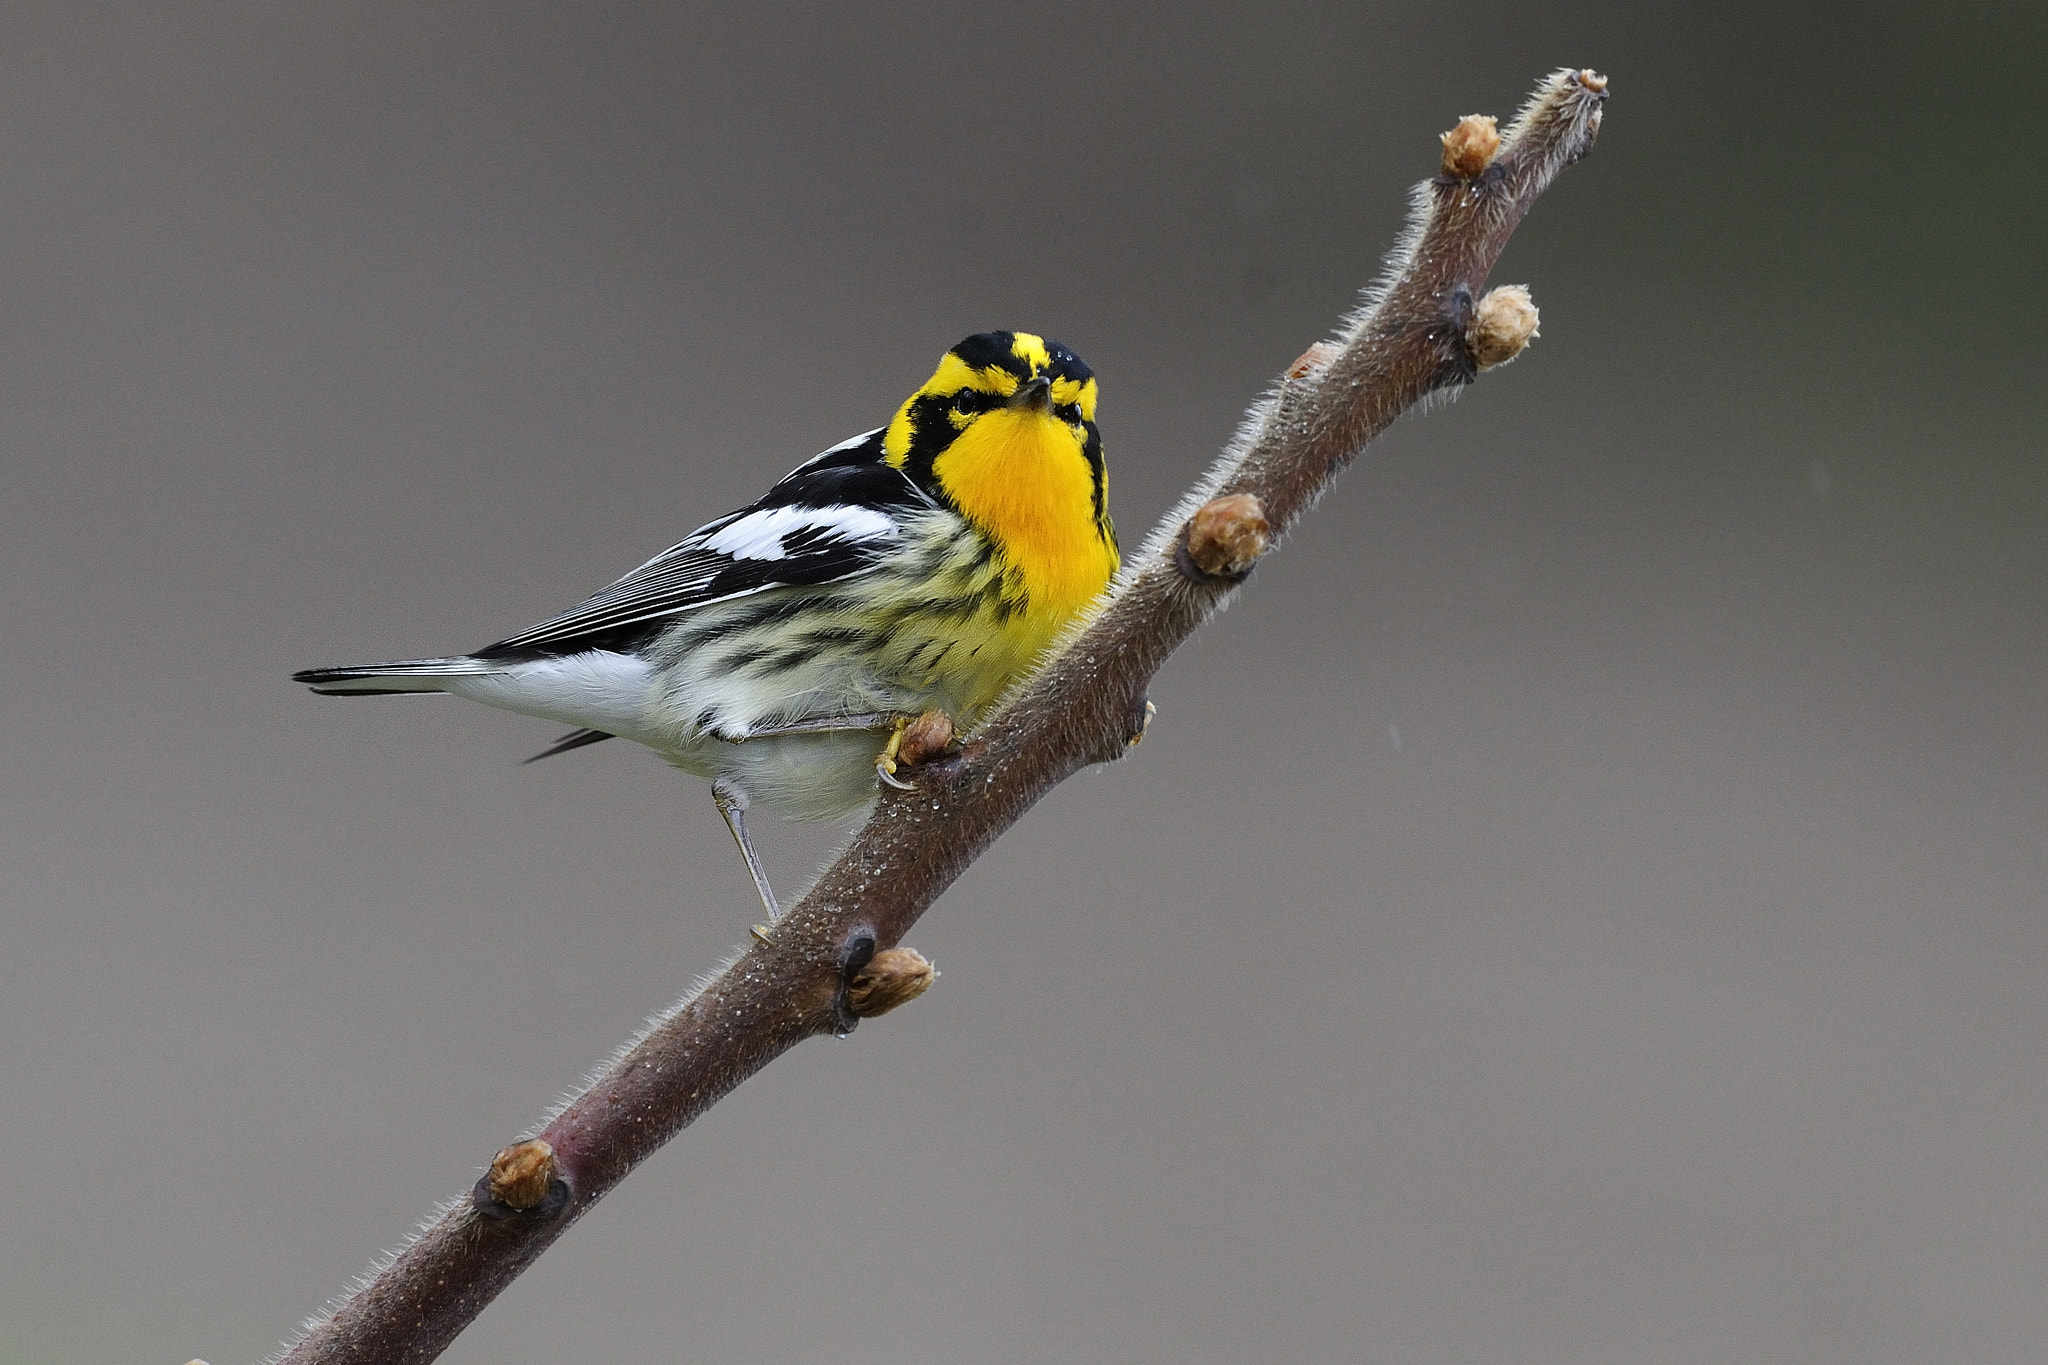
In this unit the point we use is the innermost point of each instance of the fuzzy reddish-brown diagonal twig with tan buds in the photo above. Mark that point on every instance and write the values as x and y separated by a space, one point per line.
833 959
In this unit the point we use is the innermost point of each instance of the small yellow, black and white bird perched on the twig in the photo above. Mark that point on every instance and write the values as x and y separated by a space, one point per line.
781 650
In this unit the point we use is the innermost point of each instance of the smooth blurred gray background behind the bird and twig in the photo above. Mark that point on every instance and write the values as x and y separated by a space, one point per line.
1586 901
